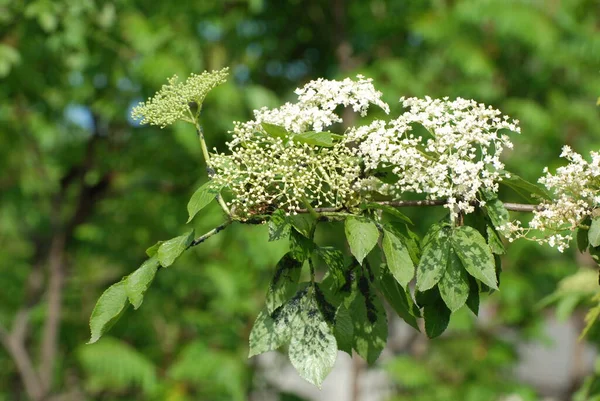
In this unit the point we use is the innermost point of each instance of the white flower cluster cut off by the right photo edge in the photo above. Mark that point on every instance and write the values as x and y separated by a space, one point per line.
576 189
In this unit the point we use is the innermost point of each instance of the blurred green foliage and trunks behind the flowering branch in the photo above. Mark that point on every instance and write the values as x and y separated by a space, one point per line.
84 190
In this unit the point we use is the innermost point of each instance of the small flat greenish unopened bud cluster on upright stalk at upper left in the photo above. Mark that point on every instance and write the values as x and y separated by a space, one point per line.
172 102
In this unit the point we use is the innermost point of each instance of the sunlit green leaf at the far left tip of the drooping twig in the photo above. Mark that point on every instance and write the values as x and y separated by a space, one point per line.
108 310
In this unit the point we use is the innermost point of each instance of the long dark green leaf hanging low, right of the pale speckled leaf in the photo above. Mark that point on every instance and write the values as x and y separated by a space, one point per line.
370 323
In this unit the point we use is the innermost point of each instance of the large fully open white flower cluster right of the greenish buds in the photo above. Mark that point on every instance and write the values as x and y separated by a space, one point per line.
457 157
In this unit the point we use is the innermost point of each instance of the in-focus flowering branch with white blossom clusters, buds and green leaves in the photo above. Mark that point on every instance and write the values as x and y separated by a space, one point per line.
284 170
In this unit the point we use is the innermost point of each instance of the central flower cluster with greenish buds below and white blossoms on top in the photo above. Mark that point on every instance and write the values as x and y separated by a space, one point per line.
267 171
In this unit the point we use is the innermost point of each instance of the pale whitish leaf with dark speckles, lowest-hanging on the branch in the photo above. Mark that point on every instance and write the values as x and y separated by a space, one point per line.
313 348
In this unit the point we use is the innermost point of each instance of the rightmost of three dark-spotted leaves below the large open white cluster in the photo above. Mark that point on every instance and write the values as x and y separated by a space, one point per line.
475 255
